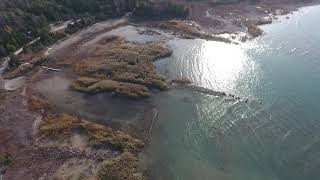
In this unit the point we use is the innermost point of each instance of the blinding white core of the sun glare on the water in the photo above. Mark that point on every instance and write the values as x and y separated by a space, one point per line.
221 64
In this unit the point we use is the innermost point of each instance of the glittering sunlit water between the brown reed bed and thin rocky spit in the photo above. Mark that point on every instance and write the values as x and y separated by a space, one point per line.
215 65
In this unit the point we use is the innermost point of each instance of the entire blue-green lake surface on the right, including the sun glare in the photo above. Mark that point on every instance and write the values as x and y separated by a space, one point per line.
275 136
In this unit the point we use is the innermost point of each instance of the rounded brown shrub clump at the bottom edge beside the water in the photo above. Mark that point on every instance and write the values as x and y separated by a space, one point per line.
125 166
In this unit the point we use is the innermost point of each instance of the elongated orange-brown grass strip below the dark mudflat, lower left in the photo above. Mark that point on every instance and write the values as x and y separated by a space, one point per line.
62 127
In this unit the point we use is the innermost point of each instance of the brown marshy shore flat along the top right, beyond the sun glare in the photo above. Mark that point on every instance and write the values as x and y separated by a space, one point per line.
243 27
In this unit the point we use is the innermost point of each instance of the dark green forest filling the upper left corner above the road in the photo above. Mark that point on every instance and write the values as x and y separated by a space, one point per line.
24 20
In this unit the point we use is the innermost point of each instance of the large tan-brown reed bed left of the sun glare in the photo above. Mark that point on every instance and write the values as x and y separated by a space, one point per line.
123 68
